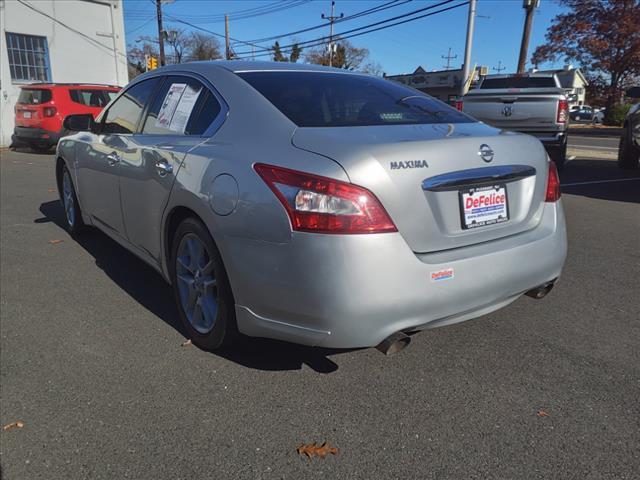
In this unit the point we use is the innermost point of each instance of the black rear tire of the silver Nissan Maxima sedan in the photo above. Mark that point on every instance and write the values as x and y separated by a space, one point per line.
224 331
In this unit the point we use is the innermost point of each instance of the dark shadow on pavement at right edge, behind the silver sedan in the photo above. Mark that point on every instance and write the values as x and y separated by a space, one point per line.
600 179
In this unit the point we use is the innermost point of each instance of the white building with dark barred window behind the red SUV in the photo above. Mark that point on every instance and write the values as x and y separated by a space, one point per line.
61 41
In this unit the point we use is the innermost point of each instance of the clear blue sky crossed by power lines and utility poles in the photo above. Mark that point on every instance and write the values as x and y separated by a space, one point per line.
397 49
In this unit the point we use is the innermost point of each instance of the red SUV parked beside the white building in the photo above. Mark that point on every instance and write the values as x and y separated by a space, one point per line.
42 107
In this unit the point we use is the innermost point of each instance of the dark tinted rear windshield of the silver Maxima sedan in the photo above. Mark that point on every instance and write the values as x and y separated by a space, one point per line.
318 99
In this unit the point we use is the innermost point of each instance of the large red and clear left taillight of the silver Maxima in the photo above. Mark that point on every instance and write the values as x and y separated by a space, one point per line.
323 205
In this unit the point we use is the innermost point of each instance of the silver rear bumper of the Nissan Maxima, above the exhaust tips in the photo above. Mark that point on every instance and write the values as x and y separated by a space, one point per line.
346 291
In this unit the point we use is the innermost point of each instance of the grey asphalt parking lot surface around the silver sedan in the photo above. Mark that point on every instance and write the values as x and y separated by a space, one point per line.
92 363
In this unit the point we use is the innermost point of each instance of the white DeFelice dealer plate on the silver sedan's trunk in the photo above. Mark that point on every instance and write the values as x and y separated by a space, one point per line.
483 206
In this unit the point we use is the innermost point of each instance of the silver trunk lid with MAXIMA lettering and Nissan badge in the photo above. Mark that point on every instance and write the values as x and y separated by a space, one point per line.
422 173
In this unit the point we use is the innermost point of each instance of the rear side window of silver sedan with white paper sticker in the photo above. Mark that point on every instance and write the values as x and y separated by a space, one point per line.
183 106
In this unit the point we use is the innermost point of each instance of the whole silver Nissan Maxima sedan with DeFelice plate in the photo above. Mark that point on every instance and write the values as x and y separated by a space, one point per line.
314 205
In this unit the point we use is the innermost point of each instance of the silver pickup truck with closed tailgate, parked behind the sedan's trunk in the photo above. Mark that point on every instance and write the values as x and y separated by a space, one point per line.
533 103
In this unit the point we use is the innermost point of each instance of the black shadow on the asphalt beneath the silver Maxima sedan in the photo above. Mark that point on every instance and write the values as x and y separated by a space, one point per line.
148 288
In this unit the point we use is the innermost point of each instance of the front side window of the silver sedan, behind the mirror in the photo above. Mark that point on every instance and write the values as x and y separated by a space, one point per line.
123 116
